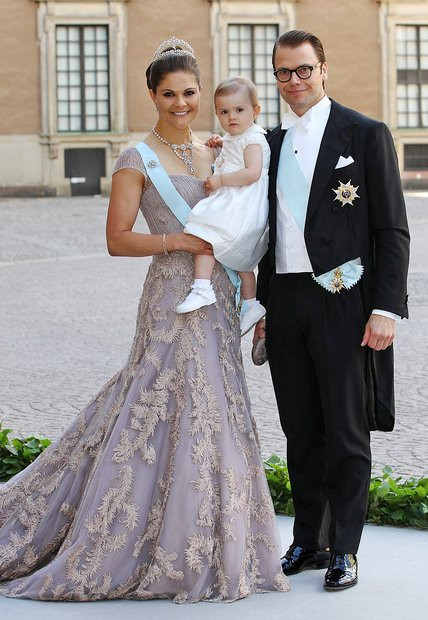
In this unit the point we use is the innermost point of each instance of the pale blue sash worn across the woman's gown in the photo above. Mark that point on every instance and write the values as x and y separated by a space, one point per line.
174 201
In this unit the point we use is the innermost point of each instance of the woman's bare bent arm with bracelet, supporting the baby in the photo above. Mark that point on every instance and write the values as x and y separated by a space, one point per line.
127 185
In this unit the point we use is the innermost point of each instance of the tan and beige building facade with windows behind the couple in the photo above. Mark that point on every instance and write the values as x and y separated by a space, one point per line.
73 92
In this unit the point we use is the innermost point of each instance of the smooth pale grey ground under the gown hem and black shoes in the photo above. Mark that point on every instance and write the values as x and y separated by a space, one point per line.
387 590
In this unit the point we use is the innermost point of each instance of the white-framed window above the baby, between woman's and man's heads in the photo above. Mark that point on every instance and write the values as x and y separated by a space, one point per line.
250 55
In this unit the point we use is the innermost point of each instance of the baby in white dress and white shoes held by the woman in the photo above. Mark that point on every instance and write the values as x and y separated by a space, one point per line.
233 218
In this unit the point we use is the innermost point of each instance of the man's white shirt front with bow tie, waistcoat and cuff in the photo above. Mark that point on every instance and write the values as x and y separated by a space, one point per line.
290 251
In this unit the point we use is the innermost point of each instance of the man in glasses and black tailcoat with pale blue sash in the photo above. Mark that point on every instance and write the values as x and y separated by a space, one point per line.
333 282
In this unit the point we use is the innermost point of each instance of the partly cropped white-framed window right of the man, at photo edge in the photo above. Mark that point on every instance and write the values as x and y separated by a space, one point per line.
412 75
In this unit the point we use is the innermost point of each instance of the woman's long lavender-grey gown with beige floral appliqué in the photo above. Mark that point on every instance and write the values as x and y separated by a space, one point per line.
157 488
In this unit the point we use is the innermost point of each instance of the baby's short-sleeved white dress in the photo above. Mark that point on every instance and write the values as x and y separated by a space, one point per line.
235 219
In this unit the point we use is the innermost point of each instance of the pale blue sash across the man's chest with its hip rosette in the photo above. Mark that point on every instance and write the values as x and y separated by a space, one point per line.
296 190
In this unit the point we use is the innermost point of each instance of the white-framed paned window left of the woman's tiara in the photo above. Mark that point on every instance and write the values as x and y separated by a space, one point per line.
82 78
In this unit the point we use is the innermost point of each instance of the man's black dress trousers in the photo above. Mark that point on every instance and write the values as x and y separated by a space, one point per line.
318 367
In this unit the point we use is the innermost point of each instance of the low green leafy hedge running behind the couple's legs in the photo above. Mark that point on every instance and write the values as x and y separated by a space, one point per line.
392 501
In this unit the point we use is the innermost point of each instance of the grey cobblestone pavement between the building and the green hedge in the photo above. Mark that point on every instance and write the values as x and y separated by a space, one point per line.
67 315
